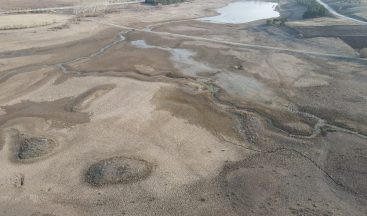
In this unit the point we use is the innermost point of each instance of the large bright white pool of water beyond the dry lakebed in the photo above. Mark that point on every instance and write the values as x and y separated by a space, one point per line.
243 12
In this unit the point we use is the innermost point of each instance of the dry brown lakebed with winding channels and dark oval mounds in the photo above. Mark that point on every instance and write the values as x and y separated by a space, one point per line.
134 113
